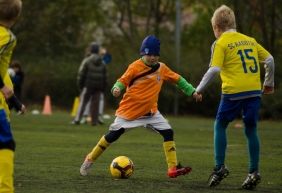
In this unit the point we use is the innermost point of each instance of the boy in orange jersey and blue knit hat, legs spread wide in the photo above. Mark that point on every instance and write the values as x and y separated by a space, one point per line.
143 81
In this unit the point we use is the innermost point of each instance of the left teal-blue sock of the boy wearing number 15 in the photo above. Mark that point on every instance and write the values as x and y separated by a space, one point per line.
220 142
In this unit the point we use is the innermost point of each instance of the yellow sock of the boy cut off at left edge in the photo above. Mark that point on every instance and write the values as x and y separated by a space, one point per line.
6 171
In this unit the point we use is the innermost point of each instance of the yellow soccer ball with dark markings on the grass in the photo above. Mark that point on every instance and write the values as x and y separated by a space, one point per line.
121 167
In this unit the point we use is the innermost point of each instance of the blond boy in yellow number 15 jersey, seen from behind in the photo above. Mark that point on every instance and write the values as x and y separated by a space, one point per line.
236 57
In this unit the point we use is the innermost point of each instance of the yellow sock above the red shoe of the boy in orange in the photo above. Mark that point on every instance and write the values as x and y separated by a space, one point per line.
170 153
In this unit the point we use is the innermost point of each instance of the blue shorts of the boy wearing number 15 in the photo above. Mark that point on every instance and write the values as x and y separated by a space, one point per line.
230 109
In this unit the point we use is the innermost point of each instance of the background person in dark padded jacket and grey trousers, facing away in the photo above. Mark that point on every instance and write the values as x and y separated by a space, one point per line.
92 80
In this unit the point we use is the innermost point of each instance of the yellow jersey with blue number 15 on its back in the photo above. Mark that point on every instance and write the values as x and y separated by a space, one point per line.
238 57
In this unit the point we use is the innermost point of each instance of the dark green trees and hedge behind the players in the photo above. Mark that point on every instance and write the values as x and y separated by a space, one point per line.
52 36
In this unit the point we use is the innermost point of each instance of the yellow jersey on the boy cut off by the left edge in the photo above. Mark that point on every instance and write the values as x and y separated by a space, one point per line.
7 45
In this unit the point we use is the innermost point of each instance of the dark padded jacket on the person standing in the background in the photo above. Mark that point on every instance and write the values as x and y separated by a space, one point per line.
92 73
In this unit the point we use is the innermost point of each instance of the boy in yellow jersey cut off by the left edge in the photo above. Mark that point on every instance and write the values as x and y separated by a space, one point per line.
9 12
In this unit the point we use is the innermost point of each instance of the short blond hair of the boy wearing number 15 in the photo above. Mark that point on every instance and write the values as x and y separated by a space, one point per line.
224 18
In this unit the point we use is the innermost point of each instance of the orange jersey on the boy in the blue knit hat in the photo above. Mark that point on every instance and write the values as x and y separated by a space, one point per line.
142 96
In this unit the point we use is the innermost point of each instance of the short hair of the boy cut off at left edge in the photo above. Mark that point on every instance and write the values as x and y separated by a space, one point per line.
10 9
